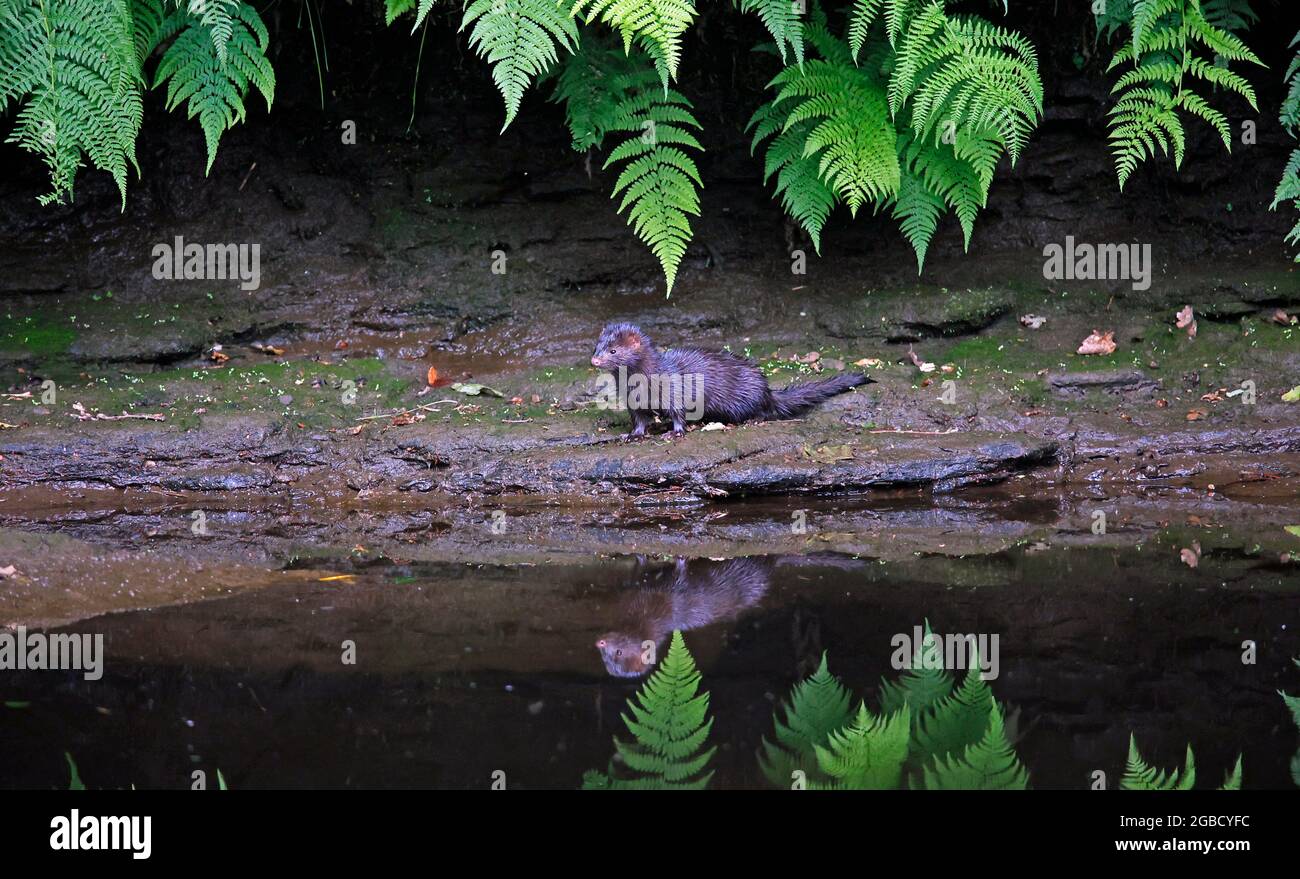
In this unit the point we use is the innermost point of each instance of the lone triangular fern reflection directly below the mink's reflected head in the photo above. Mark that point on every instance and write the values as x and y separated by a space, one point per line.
670 726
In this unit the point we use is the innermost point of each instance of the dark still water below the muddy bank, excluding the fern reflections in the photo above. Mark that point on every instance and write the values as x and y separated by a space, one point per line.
466 670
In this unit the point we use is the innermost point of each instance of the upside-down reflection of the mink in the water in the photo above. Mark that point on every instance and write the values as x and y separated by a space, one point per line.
684 596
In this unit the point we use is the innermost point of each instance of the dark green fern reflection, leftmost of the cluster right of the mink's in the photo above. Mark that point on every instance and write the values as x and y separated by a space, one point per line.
817 708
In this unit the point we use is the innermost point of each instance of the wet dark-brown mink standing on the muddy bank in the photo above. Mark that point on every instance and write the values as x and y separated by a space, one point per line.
696 384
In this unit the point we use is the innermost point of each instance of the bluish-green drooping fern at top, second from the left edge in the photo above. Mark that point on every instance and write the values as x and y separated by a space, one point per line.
213 90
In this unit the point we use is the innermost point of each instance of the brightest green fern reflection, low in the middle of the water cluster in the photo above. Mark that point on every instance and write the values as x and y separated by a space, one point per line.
868 755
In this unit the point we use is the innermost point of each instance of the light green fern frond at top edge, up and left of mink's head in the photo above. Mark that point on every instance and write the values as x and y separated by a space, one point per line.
519 38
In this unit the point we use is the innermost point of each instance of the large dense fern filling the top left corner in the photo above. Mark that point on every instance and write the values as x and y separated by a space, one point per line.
73 68
